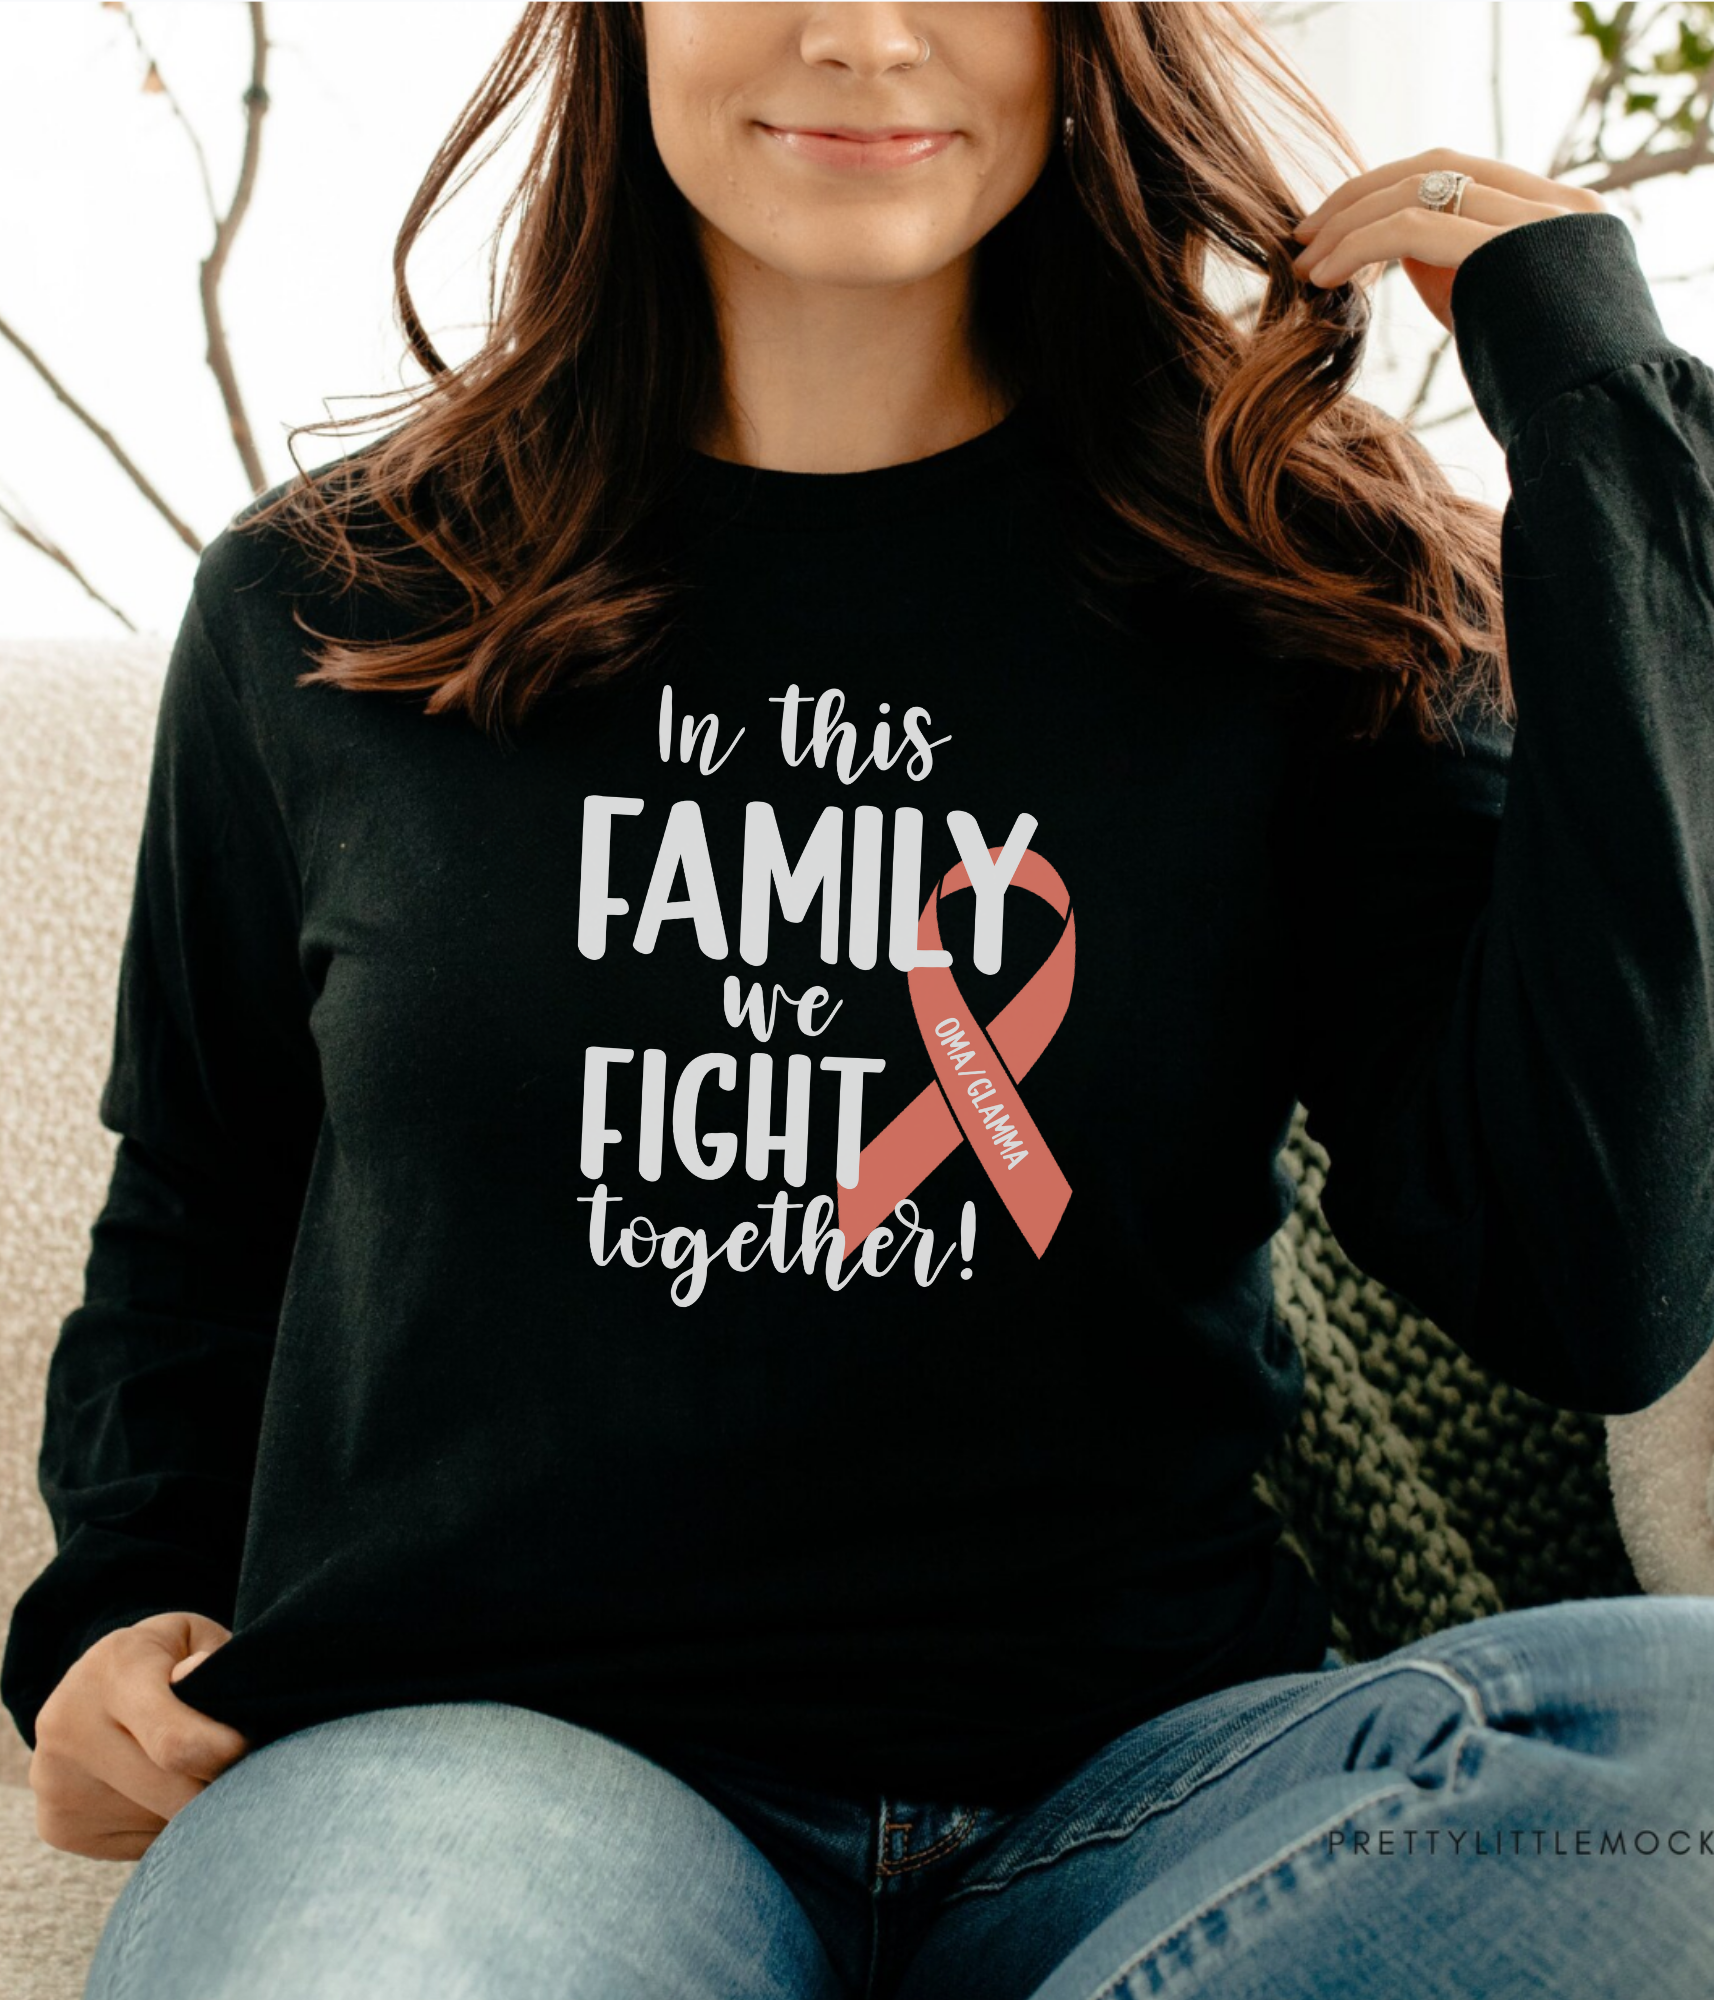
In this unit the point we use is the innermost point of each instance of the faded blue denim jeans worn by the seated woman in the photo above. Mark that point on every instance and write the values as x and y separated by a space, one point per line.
1523 1805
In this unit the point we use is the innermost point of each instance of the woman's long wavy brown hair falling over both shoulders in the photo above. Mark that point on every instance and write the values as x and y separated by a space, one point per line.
523 483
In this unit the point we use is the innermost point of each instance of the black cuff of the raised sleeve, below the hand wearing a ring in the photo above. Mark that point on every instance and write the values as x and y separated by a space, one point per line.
1547 307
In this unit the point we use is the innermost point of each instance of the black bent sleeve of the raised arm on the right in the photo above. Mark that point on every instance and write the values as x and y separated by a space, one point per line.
1505 1031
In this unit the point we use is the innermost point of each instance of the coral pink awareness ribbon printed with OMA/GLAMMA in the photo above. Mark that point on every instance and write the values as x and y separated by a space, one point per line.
975 1093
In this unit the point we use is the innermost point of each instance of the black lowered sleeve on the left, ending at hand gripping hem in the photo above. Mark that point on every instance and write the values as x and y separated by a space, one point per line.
157 1379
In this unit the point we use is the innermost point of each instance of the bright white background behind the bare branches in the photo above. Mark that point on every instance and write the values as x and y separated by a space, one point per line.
103 227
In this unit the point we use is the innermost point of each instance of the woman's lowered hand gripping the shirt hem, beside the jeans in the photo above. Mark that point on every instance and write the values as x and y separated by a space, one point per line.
117 1751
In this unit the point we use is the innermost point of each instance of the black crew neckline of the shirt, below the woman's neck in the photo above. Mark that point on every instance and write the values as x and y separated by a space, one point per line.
777 499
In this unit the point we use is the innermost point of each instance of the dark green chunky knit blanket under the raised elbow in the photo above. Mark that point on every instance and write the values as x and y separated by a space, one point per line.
1421 1491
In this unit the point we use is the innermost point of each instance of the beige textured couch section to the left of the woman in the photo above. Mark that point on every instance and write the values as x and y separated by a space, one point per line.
77 725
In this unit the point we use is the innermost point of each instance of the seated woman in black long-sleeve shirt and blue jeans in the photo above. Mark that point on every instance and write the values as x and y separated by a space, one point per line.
713 943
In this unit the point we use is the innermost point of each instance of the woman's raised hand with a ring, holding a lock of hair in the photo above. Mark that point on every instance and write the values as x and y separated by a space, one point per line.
1377 217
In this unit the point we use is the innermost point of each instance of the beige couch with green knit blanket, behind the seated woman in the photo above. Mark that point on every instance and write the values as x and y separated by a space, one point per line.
1421 1491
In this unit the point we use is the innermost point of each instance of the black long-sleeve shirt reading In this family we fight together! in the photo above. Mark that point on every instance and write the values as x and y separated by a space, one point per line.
465 1317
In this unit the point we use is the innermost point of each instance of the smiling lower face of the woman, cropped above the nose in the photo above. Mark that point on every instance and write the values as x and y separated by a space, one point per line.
745 99
